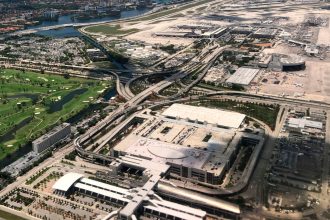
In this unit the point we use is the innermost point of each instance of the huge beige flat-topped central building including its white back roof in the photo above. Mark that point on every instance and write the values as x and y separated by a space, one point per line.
202 146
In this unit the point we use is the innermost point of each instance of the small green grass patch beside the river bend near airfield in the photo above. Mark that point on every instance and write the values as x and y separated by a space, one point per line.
110 30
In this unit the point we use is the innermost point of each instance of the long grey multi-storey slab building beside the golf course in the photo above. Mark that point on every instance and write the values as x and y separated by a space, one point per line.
54 136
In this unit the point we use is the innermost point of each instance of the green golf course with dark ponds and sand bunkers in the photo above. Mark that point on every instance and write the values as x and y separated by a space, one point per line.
31 103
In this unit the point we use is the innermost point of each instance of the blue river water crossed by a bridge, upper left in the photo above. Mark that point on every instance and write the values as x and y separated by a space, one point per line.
72 32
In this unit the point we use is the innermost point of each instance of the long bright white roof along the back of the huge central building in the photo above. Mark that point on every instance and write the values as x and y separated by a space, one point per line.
203 114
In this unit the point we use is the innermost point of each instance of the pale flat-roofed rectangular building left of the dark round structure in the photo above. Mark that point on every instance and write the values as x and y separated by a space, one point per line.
243 76
